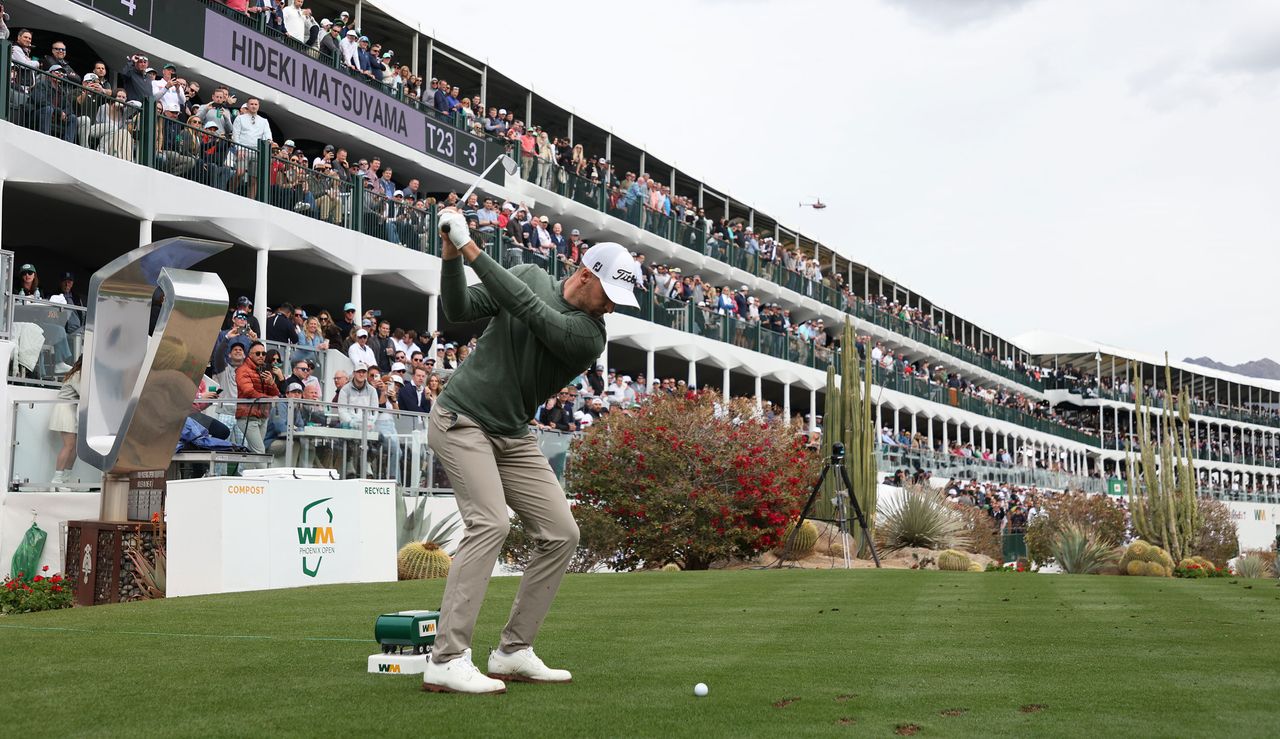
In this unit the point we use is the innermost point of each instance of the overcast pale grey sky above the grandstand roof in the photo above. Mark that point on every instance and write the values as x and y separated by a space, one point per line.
1086 167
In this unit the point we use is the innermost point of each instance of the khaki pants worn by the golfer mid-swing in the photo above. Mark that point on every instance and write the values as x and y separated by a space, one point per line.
491 473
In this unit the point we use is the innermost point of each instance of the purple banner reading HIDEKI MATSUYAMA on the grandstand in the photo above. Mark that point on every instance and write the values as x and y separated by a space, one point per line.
248 53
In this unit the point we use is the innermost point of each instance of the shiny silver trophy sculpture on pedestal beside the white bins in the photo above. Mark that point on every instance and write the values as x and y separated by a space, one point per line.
150 330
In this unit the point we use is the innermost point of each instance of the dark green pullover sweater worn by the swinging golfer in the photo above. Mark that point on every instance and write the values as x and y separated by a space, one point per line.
534 345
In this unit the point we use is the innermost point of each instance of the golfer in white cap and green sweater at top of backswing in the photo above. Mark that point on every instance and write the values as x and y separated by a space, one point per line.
541 336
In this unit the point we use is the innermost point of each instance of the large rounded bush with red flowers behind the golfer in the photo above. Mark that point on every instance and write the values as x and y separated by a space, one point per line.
692 481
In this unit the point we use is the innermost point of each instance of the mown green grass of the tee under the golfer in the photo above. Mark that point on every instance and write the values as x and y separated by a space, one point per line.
856 653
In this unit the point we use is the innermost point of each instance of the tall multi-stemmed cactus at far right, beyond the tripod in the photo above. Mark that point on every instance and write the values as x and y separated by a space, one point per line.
1163 477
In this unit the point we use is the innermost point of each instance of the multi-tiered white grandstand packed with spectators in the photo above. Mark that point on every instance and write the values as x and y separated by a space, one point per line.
321 139
